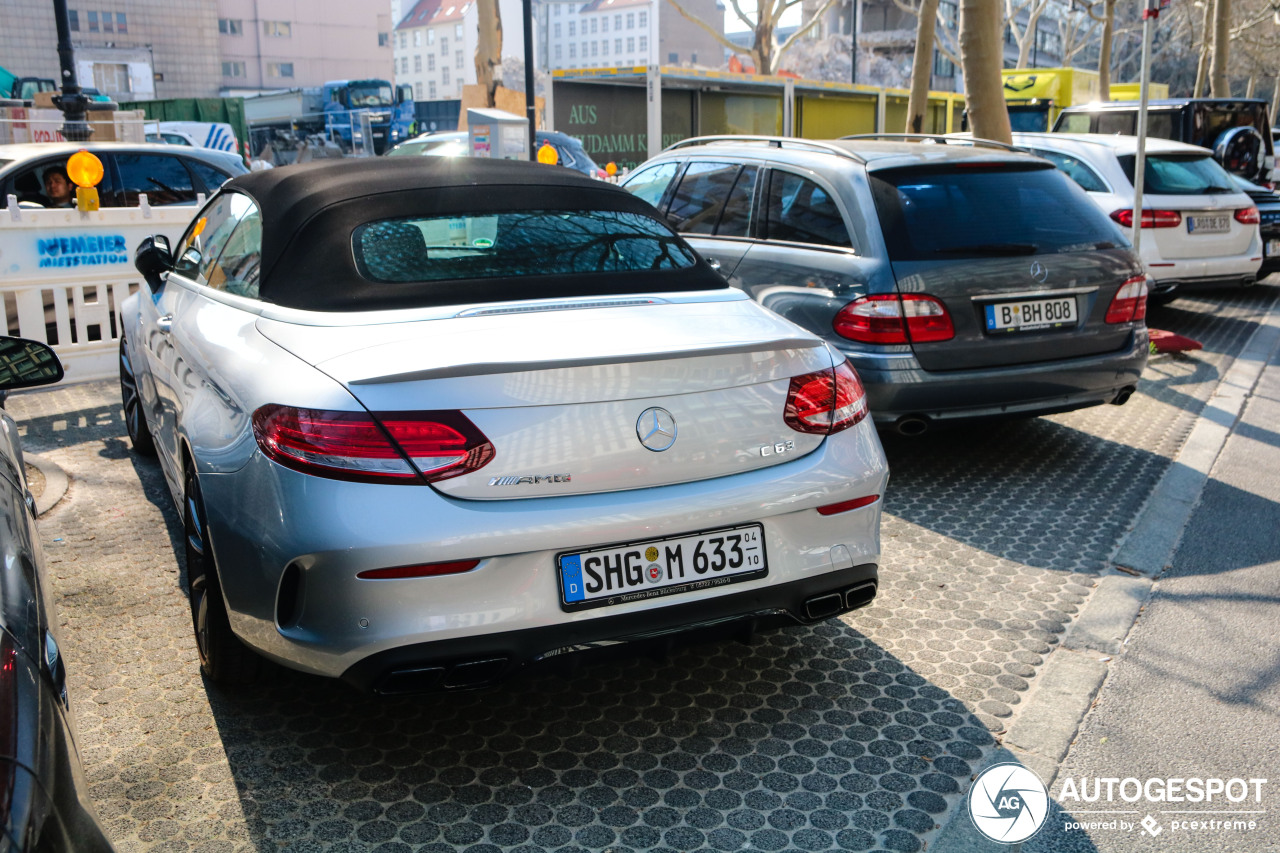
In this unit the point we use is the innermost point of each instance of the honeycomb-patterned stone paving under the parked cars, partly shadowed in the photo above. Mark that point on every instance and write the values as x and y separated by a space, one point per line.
857 735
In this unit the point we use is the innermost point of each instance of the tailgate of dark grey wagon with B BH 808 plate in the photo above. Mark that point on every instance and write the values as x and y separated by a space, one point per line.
994 241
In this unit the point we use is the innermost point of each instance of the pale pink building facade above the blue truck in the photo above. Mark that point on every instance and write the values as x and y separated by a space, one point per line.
289 44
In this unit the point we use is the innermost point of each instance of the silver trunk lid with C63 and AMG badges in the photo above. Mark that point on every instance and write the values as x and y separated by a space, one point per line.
566 395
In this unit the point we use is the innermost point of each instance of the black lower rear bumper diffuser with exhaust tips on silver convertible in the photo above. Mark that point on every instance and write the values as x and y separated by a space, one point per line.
474 663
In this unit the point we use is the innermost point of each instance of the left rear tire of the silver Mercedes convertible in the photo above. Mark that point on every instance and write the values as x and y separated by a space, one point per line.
225 660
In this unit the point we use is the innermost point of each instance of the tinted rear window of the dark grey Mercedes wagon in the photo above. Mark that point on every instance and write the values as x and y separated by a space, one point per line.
988 211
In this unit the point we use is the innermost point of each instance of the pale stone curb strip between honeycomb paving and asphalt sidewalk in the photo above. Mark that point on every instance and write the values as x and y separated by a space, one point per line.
1064 691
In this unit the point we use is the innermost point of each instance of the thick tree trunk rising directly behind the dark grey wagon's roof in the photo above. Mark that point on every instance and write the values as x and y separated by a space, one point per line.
981 61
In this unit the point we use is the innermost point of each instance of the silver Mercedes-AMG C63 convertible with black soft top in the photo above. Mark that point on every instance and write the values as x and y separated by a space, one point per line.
431 421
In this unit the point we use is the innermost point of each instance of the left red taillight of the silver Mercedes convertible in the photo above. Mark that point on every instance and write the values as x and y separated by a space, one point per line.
395 448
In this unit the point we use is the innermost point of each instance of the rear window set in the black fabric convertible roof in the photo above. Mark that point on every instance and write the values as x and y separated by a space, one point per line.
516 244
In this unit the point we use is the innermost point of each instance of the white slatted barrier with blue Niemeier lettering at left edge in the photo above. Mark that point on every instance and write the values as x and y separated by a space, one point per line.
65 276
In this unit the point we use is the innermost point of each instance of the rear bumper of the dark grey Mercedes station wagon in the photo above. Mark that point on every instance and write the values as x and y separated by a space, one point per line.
898 387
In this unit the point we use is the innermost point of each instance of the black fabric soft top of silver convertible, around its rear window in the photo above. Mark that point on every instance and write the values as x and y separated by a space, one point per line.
310 212
